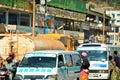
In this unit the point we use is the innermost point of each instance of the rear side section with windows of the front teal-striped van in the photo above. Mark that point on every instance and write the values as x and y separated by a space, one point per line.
73 68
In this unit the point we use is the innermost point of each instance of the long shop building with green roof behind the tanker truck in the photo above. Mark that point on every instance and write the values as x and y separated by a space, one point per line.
69 17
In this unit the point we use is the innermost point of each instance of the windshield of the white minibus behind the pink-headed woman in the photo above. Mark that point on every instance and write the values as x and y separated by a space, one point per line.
95 55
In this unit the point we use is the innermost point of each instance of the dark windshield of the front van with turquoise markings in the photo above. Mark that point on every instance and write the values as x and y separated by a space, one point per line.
38 62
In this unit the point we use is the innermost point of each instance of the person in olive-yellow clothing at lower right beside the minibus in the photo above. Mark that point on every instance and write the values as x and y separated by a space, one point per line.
114 71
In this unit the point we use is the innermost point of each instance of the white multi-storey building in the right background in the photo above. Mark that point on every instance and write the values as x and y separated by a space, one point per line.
115 24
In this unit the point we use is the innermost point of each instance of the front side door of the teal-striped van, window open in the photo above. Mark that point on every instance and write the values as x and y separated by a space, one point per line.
62 69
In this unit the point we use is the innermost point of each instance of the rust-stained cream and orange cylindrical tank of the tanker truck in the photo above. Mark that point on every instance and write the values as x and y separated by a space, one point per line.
20 44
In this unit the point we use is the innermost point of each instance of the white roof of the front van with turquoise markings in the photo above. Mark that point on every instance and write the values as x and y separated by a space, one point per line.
53 52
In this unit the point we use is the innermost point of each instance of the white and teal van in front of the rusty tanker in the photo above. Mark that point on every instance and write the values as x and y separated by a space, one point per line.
49 65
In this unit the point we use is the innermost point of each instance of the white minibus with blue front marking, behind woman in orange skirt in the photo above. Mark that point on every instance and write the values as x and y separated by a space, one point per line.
98 55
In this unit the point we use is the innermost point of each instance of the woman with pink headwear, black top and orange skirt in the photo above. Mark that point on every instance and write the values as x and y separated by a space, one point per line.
84 67
